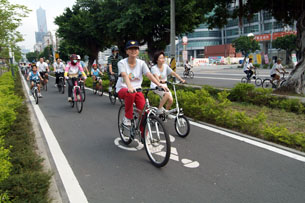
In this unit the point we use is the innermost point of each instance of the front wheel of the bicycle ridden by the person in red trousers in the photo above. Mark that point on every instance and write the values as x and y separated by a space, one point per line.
156 142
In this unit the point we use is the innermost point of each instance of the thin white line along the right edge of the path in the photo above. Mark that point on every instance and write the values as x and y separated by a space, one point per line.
252 142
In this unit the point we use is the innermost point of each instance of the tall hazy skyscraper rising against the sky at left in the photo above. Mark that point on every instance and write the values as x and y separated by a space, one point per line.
42 25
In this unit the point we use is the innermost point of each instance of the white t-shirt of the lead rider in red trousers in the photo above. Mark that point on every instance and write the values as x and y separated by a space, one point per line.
135 74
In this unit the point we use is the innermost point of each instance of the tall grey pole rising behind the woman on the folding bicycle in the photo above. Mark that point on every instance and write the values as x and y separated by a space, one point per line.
173 36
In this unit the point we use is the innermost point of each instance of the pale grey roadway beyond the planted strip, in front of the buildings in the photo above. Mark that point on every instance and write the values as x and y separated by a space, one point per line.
219 76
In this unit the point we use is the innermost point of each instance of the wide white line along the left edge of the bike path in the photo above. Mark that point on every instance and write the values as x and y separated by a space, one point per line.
70 182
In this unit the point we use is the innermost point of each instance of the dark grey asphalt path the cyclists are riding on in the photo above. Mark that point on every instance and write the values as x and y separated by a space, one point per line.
225 169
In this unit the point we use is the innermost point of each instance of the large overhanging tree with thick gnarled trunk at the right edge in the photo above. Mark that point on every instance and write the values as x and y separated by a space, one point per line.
282 10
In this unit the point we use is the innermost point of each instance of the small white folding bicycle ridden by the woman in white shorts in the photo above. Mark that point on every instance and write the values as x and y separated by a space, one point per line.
182 124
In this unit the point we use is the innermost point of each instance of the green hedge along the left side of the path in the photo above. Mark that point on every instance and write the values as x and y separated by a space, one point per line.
26 181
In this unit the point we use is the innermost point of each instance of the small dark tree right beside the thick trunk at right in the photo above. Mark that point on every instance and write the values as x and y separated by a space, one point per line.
287 43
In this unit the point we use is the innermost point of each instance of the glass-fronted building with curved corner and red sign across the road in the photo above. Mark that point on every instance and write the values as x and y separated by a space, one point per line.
262 25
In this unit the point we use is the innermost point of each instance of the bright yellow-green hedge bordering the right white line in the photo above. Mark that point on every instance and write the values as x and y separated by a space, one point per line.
200 105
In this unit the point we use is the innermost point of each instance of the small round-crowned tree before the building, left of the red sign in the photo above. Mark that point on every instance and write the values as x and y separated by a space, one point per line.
245 45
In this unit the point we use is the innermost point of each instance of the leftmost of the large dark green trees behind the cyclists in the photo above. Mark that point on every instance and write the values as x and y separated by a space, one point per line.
79 27
